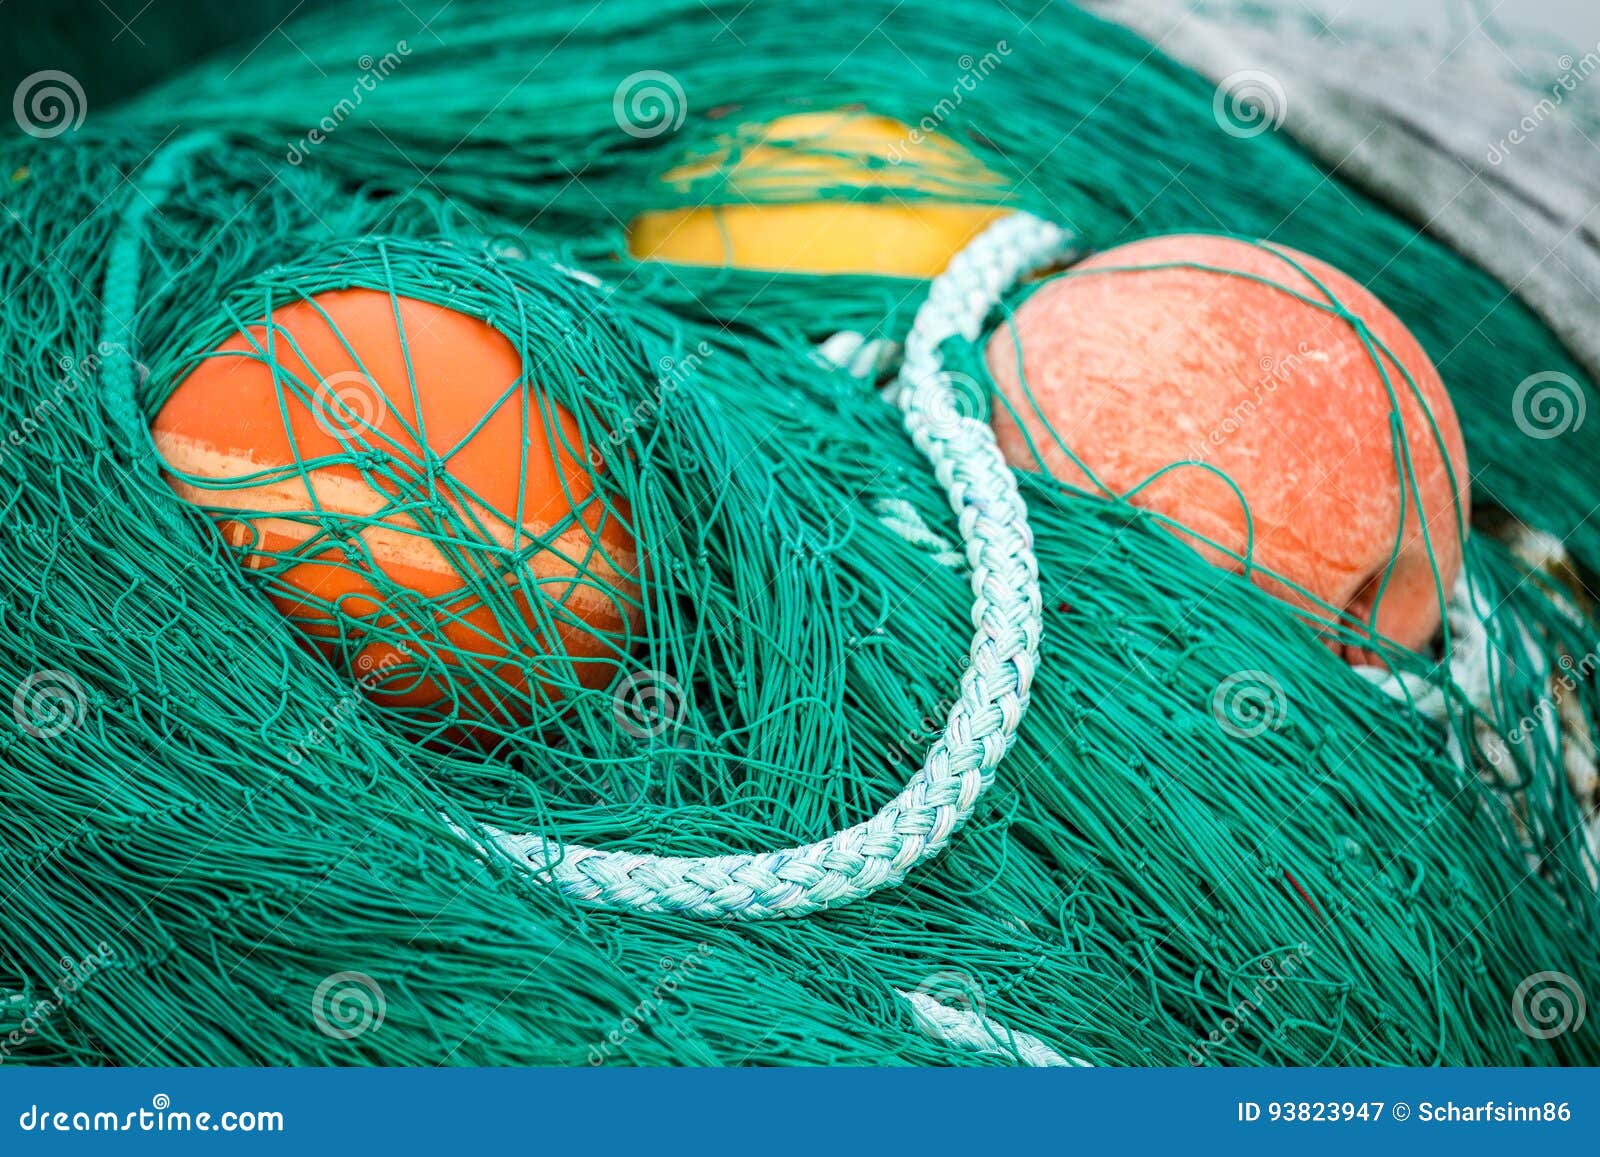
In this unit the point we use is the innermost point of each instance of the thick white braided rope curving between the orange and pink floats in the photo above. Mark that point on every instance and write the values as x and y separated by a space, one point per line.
994 691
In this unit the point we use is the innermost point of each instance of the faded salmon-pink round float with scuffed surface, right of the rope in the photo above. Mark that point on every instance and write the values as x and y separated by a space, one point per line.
1135 366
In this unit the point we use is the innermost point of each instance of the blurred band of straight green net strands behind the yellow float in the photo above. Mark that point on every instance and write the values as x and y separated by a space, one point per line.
1121 143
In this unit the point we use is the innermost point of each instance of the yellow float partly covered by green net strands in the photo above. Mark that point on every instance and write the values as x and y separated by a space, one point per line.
849 153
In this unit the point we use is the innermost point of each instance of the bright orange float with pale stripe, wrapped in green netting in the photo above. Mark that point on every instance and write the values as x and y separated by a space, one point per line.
396 498
